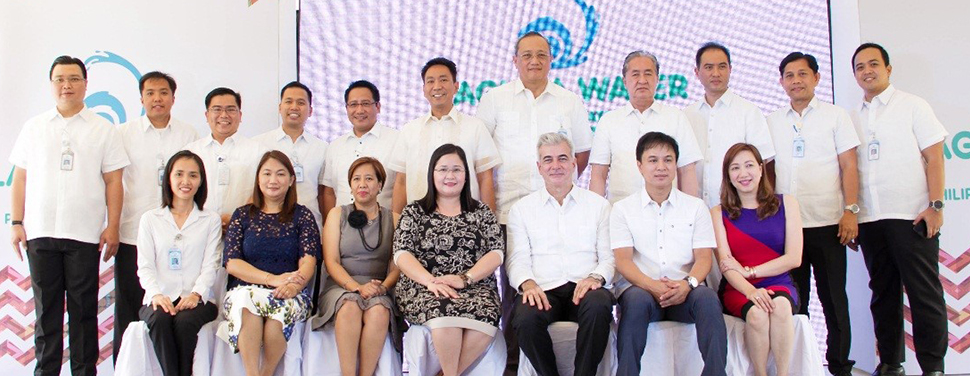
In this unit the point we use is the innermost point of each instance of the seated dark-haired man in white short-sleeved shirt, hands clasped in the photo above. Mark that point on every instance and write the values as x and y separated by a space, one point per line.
662 240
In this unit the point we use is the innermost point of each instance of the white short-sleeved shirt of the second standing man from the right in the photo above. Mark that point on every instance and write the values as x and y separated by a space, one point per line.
812 175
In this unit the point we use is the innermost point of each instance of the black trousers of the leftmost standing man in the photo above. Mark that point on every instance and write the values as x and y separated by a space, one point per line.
59 266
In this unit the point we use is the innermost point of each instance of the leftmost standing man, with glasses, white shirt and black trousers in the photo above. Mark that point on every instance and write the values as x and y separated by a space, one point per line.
74 159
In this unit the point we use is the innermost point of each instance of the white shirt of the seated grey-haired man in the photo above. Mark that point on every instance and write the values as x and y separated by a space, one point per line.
555 244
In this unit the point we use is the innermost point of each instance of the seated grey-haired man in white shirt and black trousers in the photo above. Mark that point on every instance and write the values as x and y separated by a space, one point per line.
560 262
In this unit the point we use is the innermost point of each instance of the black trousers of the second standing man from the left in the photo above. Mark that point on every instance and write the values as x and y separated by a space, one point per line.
128 292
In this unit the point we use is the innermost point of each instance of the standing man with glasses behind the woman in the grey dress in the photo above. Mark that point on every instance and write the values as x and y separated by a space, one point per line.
367 138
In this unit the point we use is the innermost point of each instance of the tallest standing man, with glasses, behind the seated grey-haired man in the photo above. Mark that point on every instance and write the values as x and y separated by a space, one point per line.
516 114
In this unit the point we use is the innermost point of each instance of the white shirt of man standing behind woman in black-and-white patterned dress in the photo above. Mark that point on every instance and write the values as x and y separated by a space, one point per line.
420 137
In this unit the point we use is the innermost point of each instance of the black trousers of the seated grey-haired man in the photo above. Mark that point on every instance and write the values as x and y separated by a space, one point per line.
593 314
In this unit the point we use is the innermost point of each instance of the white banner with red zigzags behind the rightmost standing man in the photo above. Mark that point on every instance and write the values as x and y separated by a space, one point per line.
925 43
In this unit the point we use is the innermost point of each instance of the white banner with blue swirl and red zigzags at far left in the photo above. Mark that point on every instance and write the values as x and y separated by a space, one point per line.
202 44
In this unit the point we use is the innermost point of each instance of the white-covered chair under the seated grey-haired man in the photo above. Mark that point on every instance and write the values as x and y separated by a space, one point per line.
563 334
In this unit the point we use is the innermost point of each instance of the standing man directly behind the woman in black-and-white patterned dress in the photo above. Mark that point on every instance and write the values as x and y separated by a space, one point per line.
444 124
